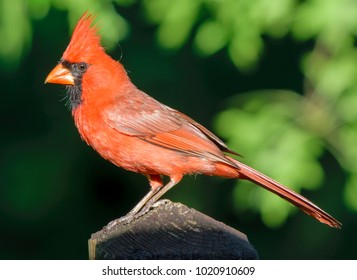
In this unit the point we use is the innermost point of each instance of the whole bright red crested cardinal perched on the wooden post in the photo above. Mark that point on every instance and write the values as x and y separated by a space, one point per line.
134 131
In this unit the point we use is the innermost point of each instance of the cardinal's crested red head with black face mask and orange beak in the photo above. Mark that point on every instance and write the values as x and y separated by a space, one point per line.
84 65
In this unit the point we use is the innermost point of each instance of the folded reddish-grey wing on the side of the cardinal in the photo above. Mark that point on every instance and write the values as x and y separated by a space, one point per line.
137 114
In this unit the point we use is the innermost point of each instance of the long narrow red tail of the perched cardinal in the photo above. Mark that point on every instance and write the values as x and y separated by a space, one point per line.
298 200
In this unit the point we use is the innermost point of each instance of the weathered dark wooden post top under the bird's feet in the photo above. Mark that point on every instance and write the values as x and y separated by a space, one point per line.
171 231
